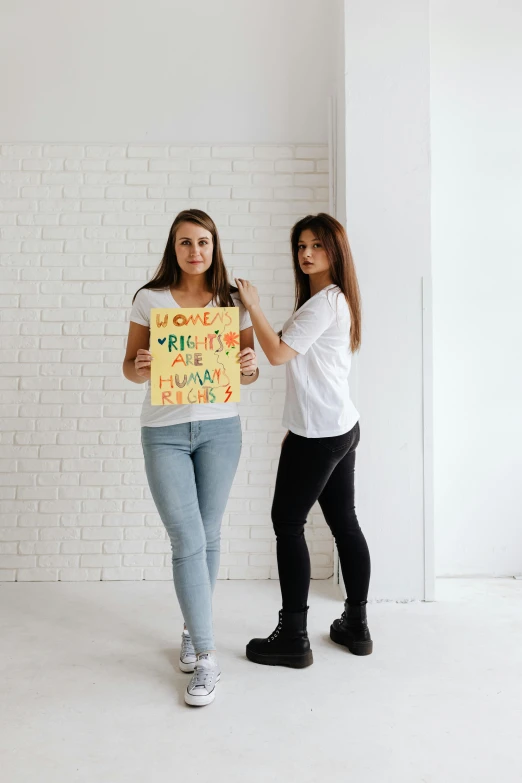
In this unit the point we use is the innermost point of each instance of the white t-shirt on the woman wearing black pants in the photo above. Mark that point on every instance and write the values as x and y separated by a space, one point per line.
318 403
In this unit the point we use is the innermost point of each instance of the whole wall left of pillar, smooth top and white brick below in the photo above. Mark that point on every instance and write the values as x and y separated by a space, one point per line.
131 112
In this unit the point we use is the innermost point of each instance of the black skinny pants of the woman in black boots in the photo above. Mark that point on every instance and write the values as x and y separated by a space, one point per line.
320 469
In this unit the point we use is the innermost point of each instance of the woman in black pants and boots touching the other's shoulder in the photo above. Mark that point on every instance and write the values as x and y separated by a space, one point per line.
318 453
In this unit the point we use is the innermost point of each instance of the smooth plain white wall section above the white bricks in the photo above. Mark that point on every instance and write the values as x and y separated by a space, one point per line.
215 71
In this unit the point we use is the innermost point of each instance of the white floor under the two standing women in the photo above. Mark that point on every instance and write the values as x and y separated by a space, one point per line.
92 693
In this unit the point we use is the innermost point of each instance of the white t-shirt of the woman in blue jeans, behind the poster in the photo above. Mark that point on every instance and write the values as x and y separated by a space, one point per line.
165 415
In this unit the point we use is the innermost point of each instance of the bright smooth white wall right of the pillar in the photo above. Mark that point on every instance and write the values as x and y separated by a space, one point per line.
477 263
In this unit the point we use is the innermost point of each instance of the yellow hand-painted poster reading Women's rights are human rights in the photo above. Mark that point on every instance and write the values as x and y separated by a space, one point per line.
195 355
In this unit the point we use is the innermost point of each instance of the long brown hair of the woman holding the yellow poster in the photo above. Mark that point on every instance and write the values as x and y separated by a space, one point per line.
168 273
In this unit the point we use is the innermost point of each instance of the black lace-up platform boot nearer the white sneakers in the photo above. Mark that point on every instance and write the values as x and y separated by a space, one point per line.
288 645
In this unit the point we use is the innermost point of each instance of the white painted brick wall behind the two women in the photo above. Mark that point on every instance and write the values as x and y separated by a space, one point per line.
81 228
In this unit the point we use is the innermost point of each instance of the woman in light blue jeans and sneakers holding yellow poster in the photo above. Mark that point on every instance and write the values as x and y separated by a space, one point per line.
191 450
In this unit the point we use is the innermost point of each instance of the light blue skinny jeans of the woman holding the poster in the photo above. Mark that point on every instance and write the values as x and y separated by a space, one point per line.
190 468
